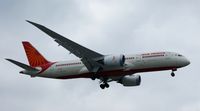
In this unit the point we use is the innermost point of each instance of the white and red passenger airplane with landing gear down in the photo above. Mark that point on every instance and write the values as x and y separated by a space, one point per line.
107 68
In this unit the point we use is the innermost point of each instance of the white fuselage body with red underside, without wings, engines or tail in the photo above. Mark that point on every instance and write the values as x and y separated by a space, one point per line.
133 64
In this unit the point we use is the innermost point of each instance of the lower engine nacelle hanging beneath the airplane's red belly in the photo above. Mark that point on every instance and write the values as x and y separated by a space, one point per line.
133 80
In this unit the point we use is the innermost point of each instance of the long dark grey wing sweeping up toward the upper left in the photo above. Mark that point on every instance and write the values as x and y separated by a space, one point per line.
88 57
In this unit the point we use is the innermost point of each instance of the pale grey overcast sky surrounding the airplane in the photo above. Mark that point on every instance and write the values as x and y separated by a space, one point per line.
108 27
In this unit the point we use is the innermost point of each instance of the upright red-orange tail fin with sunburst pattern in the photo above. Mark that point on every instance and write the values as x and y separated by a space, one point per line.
34 57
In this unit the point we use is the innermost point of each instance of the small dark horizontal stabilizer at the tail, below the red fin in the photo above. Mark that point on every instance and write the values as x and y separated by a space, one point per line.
24 66
